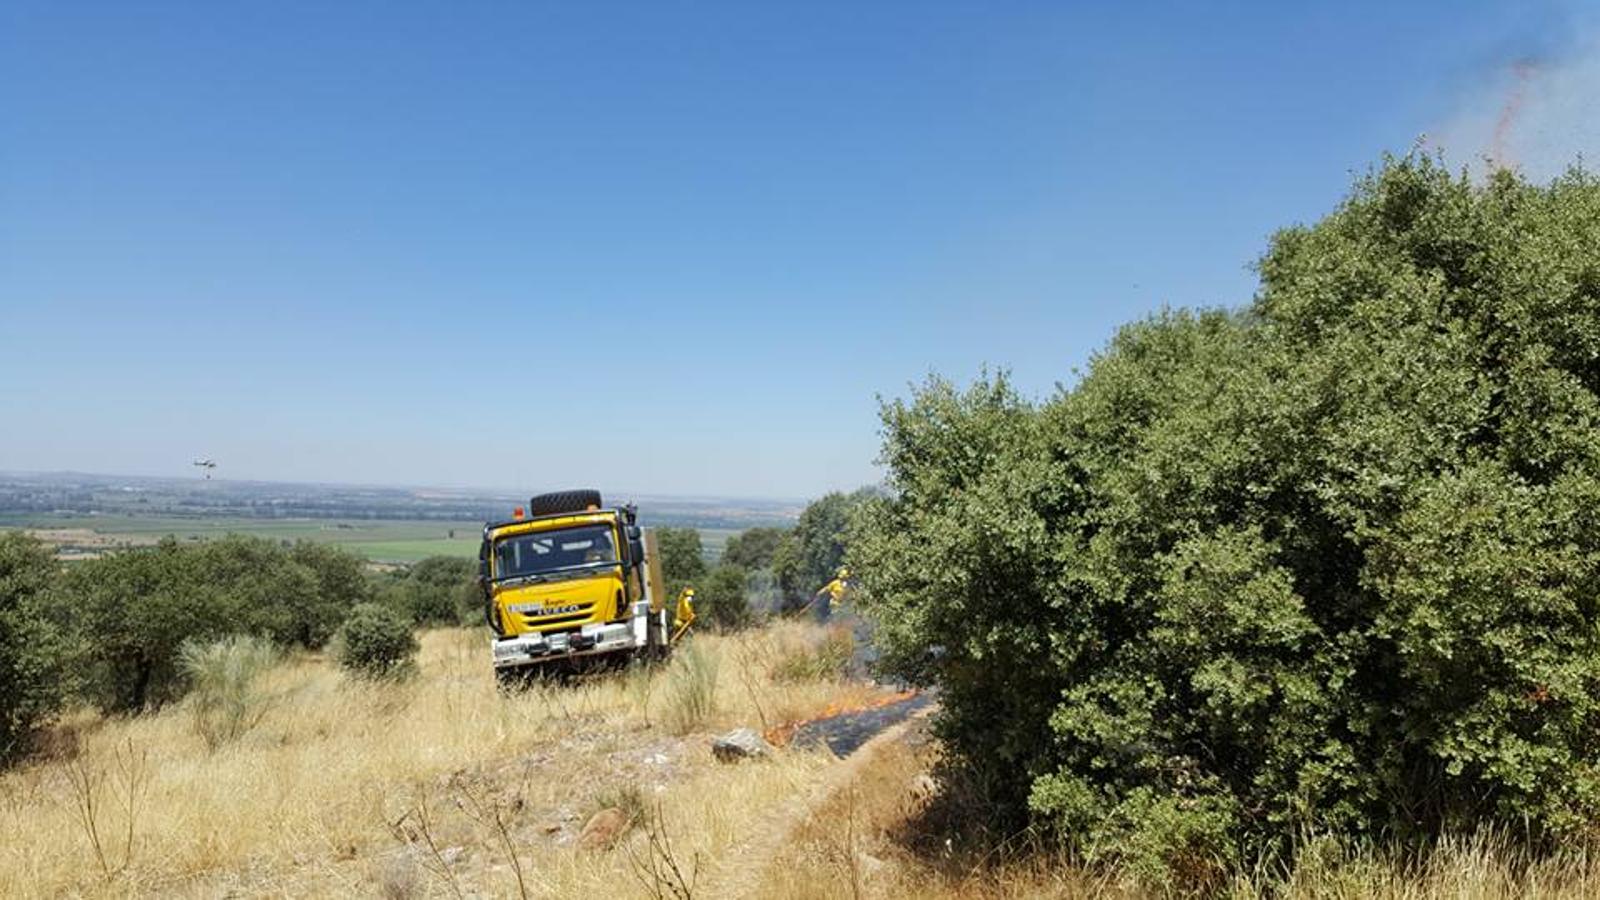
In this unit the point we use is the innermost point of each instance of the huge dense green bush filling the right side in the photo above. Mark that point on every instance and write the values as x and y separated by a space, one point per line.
1327 565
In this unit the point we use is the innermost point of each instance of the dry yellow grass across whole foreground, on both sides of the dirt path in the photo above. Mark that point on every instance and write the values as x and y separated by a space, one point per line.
442 787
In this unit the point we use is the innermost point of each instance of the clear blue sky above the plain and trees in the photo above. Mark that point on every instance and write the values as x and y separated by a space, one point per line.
657 247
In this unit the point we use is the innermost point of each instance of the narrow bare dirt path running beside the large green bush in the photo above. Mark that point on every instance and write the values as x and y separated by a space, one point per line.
745 872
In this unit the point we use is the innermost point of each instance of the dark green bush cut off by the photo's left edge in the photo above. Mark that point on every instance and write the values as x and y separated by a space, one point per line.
36 656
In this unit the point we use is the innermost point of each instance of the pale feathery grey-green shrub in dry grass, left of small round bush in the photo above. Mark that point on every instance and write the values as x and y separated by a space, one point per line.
225 686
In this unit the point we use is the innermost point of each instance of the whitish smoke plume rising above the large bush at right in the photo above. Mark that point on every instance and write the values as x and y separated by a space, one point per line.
1537 116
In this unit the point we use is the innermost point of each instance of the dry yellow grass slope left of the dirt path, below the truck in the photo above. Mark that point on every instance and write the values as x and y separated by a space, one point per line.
434 787
